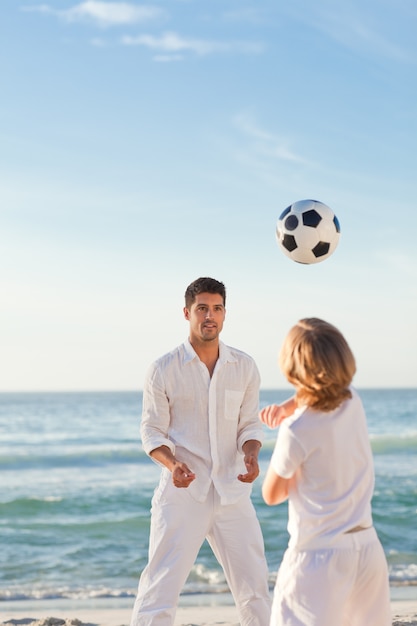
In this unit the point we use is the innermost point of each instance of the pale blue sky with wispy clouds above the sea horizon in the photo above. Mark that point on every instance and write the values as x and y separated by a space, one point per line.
144 145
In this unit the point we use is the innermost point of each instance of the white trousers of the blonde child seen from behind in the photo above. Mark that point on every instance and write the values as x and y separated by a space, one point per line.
346 585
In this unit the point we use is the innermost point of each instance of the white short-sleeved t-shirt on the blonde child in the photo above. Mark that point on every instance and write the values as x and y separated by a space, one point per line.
327 456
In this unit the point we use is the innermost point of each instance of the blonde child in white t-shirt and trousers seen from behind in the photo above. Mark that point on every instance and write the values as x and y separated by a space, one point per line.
334 571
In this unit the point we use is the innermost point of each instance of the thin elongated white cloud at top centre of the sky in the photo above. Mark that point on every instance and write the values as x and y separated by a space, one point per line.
173 43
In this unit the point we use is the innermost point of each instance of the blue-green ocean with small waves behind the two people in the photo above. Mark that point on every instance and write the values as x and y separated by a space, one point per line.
76 486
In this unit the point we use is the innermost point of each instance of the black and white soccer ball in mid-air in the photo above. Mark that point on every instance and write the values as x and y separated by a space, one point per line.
308 231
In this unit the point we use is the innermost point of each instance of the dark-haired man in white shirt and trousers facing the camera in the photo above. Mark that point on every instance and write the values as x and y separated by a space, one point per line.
200 423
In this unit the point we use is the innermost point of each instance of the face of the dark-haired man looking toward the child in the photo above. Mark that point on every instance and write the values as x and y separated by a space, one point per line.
206 317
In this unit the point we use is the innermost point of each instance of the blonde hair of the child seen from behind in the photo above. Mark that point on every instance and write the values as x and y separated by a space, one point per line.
317 360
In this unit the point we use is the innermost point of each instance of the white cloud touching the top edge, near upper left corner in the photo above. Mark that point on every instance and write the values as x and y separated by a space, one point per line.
103 13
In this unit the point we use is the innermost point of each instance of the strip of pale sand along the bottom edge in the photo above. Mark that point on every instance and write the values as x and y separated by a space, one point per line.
404 613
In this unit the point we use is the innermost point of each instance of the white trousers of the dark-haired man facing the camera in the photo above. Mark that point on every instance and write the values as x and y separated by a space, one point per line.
179 525
